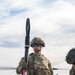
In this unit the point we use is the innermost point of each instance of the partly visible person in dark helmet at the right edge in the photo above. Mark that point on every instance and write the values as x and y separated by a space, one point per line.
70 59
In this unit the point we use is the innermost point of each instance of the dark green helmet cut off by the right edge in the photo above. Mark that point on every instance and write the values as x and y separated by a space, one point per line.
70 57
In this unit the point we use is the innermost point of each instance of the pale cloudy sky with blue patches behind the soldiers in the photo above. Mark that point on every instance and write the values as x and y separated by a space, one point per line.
52 20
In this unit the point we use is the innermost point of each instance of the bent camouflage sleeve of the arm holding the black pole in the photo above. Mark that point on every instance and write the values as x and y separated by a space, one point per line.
20 66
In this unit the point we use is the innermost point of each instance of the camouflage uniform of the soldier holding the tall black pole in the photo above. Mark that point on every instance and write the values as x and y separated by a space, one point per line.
37 65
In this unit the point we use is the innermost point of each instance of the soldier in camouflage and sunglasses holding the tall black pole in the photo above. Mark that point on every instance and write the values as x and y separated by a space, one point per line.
37 64
